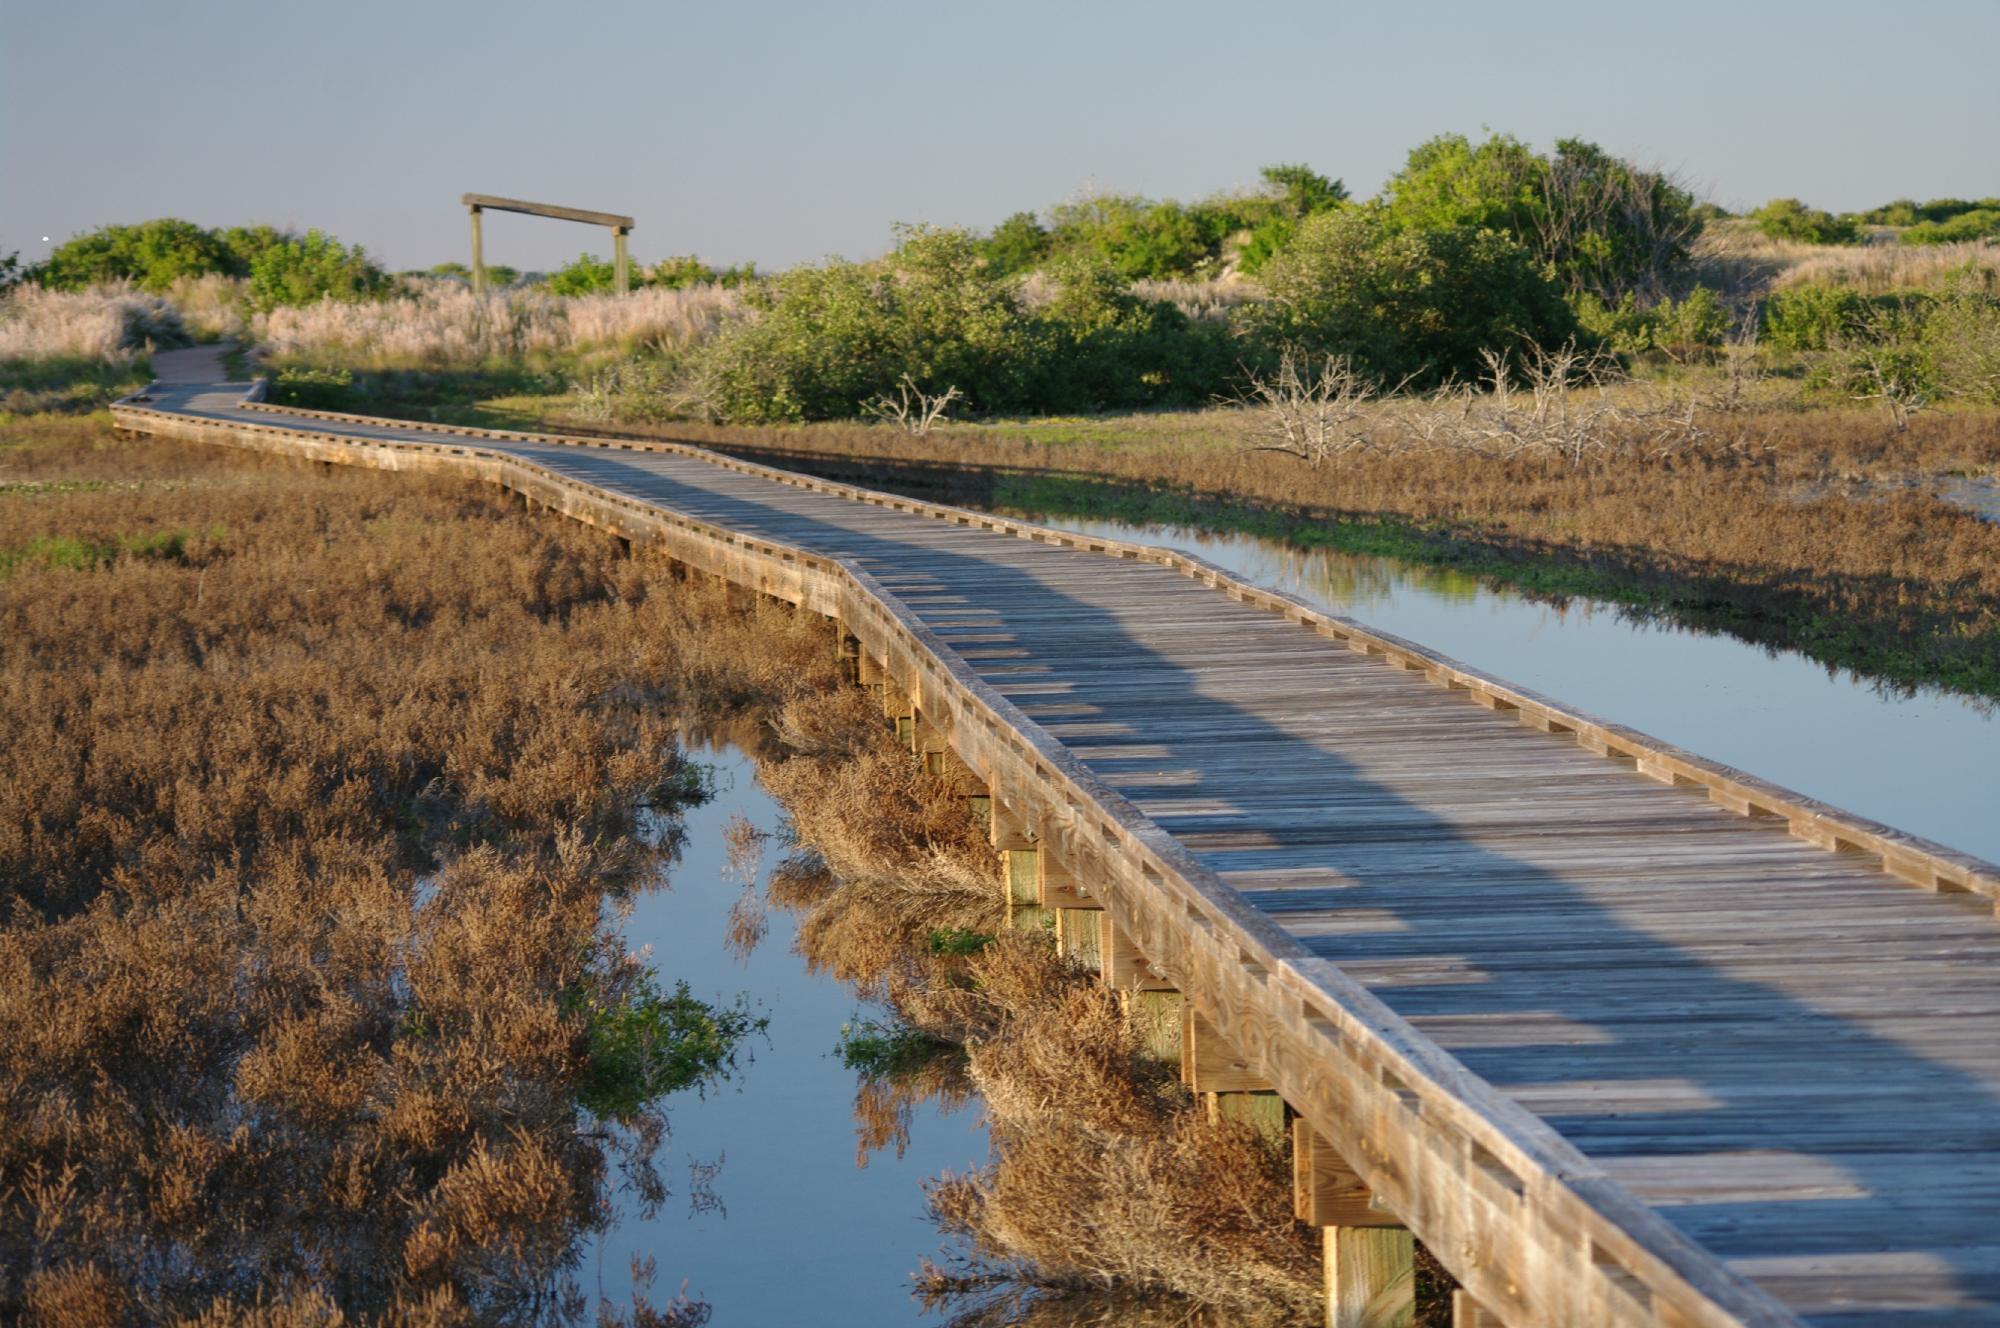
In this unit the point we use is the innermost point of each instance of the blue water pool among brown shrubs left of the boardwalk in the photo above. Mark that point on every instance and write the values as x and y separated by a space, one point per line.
799 1235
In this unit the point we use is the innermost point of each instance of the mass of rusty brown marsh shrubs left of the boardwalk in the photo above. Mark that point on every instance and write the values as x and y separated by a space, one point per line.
307 821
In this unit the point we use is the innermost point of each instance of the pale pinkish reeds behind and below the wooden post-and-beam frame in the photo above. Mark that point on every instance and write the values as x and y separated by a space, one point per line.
441 325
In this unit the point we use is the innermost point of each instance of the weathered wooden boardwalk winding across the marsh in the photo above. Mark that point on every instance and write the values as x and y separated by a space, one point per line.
1695 1069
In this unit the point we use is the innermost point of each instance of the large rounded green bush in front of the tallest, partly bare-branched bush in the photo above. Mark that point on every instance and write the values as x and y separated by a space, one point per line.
1407 303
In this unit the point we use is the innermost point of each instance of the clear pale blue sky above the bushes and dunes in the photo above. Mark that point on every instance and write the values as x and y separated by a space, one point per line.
783 133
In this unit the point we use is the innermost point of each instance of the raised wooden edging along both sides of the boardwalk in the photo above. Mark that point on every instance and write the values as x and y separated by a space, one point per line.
1531 1227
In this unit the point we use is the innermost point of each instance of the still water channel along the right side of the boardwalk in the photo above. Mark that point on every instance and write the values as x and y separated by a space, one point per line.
1925 763
